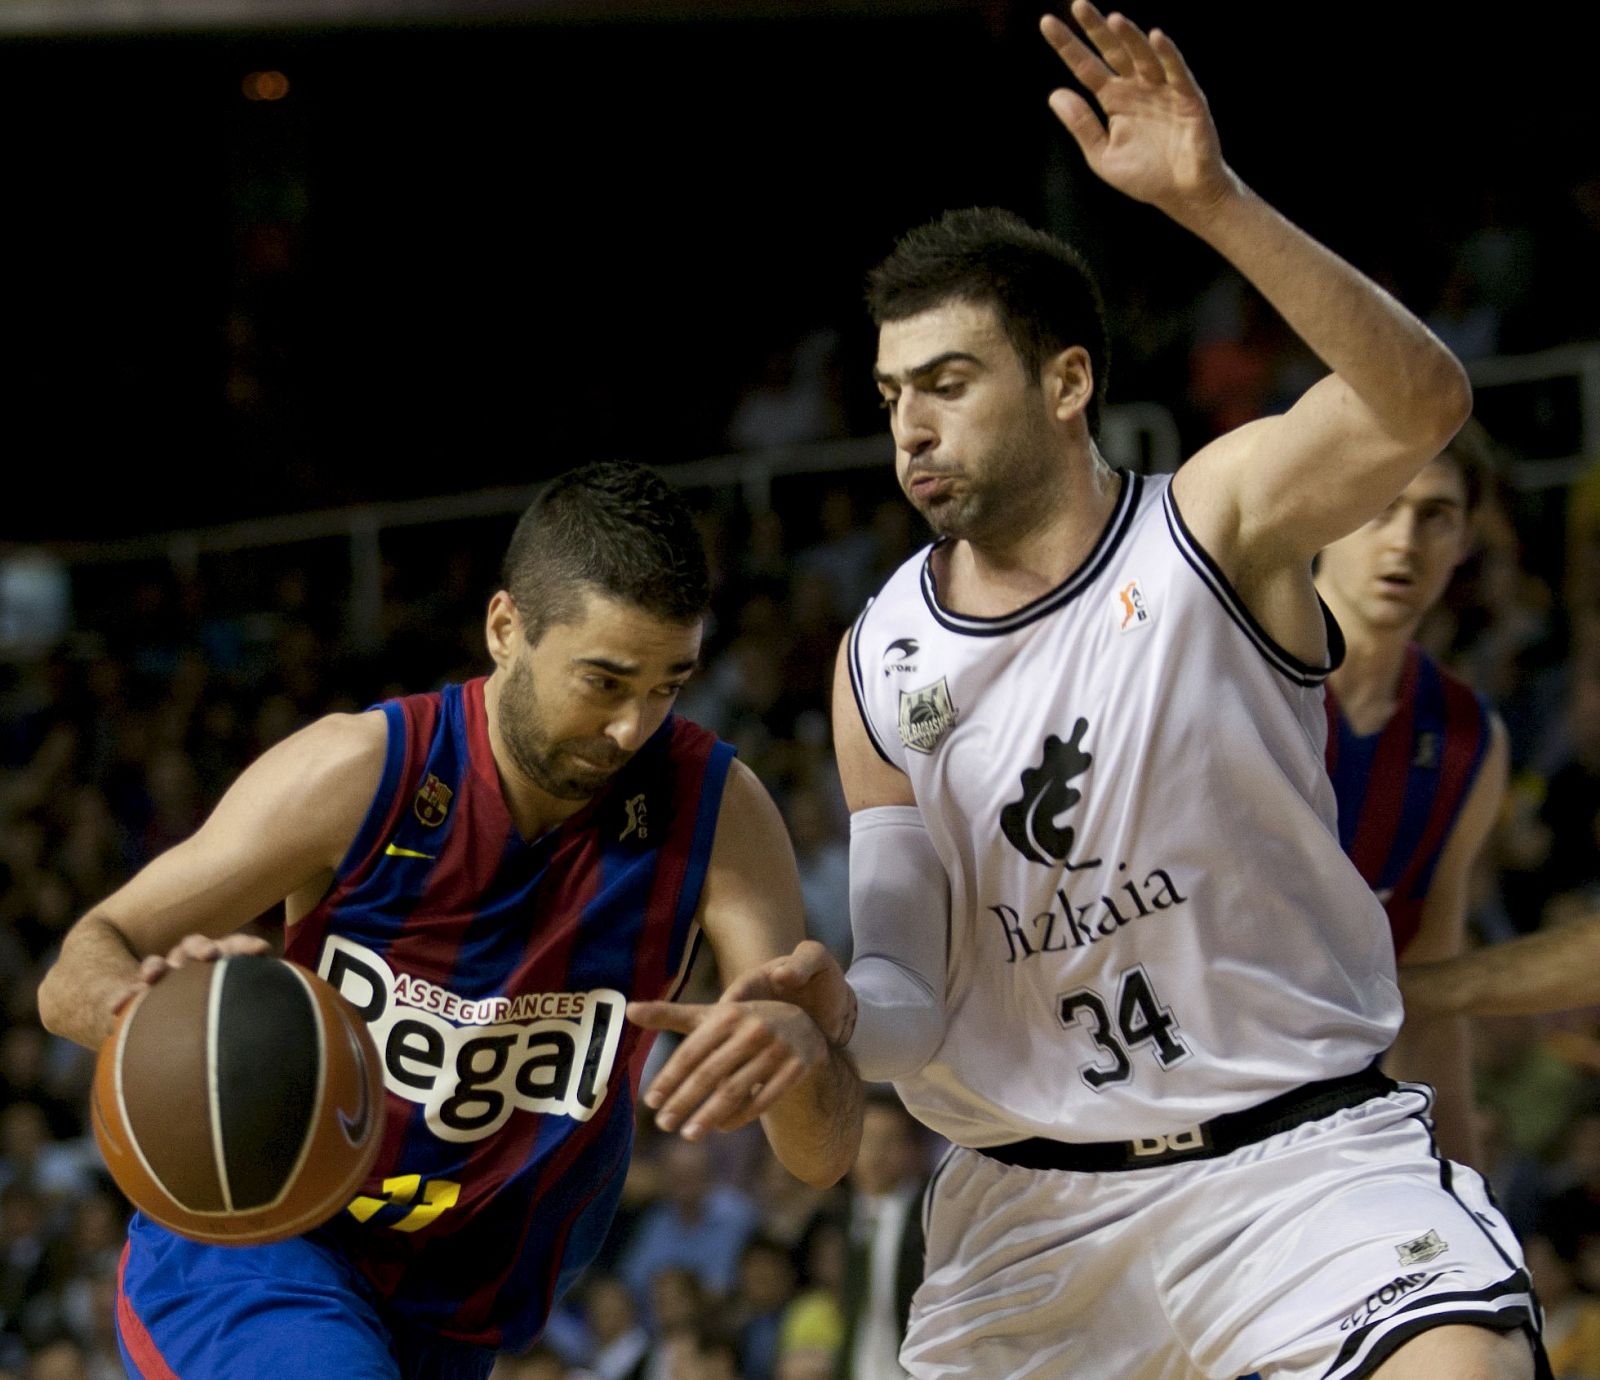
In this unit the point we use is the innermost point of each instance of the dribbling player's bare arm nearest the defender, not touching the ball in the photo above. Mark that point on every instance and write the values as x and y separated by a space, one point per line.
761 1057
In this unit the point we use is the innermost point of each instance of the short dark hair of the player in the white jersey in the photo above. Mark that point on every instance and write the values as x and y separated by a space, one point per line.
1039 287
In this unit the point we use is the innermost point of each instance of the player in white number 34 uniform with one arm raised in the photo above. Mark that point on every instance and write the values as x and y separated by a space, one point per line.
1106 939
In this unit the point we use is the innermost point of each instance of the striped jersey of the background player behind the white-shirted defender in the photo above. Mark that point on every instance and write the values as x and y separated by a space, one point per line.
1402 788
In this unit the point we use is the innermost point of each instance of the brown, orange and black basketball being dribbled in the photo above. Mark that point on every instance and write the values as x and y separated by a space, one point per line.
239 1102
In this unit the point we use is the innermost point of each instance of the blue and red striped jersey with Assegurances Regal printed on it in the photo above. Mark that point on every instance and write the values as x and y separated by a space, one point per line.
494 974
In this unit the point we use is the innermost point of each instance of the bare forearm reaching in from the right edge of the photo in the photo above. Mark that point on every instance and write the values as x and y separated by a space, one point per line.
1548 973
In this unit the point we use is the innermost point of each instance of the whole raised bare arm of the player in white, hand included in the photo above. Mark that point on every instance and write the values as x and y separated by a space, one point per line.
1276 491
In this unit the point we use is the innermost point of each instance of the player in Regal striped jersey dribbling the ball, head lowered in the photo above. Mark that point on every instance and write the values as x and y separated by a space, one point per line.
494 875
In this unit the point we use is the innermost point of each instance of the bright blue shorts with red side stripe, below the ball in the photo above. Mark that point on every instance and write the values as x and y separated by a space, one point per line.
193 1312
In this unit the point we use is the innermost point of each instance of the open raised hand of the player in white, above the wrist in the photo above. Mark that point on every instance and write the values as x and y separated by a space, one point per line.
1159 143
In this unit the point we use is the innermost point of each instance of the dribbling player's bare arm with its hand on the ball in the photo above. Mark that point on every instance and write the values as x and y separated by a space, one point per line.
282 828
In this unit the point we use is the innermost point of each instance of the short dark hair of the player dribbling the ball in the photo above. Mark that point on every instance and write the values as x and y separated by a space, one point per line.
617 529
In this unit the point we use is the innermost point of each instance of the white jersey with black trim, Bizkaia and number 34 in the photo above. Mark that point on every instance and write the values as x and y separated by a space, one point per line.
1151 917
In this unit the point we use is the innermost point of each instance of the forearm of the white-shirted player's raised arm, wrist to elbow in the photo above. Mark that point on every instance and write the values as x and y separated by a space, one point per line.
1390 359
